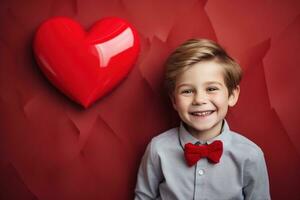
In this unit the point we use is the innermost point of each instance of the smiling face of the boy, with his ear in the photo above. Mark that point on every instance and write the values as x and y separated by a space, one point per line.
201 98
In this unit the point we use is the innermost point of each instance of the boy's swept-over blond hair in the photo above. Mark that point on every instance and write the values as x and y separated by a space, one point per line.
198 50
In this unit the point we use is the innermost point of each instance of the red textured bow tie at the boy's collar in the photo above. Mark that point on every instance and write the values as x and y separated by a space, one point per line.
193 153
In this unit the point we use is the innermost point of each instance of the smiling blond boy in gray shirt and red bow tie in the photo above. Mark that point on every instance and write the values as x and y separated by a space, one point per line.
203 158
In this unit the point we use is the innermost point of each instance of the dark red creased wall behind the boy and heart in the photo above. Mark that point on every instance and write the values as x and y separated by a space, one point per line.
51 148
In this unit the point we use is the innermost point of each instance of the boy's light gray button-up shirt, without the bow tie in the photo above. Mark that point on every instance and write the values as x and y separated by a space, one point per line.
164 174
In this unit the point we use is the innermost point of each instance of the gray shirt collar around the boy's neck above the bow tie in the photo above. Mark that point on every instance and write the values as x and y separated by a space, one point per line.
185 137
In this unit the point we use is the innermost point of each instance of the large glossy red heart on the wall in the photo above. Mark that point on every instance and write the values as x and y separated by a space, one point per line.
86 65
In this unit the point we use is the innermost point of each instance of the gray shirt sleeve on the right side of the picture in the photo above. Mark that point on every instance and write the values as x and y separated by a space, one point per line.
256 181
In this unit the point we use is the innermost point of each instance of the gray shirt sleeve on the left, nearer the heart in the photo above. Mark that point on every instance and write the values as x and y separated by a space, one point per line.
149 175
